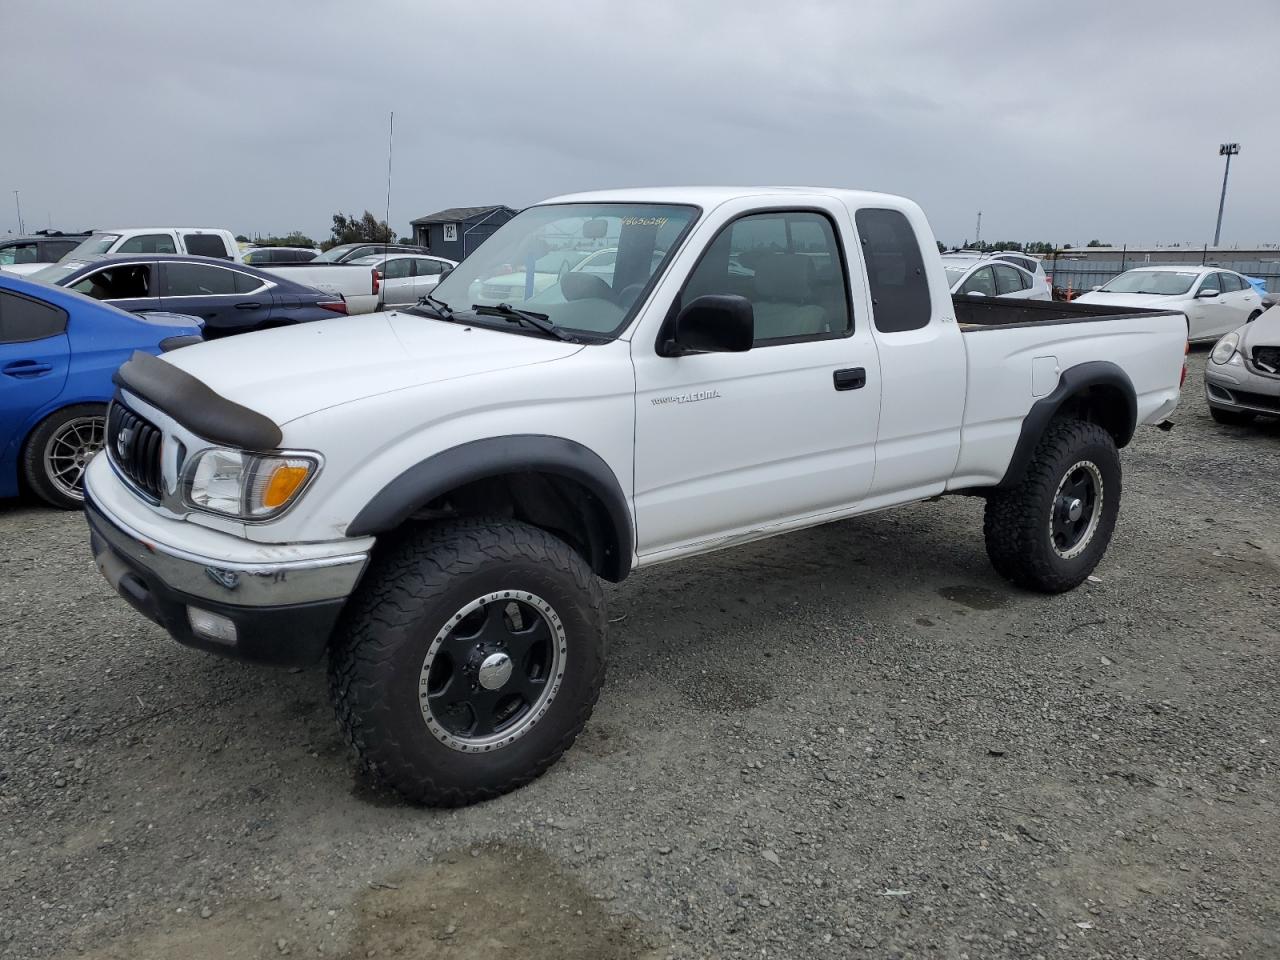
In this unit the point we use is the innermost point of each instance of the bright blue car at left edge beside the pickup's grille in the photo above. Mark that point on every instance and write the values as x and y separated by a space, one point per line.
58 351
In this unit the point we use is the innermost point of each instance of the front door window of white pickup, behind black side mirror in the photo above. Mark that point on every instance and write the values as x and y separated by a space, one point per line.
789 266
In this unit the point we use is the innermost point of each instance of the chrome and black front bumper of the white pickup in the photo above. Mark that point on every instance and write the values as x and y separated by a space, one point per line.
278 612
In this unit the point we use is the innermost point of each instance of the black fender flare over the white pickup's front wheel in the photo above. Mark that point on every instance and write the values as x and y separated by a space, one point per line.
496 456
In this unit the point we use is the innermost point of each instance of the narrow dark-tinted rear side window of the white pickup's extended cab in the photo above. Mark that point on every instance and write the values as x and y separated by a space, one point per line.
895 271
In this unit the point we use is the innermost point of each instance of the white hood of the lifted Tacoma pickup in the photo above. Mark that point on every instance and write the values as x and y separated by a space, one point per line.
292 372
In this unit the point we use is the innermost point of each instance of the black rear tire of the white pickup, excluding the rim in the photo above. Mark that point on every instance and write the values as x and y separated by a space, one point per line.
1018 523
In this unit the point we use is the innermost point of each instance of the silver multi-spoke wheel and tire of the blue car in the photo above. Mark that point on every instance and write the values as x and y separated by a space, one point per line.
60 450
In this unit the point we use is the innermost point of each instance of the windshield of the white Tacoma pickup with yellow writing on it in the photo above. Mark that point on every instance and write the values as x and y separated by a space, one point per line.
531 263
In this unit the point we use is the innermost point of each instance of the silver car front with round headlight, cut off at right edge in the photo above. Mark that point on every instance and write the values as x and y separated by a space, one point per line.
1242 378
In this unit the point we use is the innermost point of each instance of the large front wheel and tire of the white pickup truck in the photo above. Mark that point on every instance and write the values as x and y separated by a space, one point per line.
469 661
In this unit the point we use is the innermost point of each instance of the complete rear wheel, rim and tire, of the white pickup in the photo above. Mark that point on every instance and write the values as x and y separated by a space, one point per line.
1050 532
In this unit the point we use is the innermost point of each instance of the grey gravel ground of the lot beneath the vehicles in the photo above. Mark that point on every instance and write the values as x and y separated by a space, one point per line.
854 742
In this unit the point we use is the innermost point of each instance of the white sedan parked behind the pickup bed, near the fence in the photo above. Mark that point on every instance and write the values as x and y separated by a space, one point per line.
1213 299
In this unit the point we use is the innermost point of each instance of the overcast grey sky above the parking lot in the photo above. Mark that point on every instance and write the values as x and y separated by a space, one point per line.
1060 122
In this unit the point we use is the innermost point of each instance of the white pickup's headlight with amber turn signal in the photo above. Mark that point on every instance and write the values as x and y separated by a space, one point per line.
246 486
